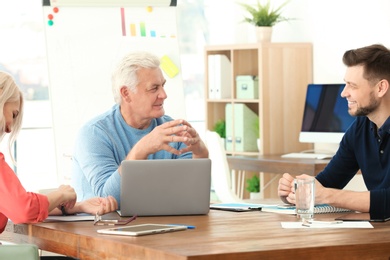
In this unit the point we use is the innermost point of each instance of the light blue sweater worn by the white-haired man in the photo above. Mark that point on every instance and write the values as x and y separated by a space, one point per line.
100 147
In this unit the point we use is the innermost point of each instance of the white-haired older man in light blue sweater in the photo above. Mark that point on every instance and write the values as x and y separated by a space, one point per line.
136 128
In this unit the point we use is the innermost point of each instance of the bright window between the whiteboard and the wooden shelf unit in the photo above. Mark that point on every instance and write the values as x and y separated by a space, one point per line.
199 26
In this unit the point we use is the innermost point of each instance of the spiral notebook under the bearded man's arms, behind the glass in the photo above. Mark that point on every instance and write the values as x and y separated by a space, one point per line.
290 209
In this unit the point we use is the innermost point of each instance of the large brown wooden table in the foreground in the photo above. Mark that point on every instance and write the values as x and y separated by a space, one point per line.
218 235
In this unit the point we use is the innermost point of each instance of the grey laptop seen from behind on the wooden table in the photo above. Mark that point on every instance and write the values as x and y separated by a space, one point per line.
165 187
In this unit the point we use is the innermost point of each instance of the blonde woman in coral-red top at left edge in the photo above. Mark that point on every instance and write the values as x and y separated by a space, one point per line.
18 204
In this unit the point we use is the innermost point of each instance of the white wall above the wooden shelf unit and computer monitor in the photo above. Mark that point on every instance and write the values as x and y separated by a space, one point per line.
332 26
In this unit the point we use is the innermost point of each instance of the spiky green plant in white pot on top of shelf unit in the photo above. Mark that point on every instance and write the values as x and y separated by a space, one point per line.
263 17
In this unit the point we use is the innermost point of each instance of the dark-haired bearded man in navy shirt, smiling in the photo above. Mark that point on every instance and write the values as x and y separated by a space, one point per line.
365 145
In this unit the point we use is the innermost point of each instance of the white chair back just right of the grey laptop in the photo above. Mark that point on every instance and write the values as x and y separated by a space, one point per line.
220 172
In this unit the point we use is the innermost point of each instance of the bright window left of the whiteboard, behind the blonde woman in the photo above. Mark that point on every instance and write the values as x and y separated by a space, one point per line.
23 55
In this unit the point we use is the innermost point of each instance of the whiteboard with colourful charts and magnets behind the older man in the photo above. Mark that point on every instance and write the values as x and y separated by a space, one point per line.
84 44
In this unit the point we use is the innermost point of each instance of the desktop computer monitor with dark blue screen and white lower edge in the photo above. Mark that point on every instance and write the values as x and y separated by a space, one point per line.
325 117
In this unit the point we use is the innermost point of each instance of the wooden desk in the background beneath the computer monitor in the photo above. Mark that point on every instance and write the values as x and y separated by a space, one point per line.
277 164
